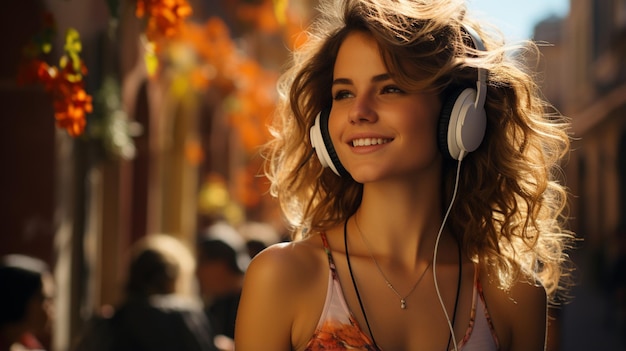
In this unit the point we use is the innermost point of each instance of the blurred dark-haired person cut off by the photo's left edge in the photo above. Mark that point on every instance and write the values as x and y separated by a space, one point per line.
26 288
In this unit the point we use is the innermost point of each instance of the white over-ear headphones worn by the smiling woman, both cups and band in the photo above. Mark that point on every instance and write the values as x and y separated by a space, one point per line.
462 121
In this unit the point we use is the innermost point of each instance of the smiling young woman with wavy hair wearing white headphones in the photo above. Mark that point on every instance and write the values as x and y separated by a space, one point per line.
430 218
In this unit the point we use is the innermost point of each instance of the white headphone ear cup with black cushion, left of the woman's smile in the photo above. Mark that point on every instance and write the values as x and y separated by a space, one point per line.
323 145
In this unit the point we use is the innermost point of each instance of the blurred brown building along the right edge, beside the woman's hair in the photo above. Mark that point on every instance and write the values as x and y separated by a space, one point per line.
584 75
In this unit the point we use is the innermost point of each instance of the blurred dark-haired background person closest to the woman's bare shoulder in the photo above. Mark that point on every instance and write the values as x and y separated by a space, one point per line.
222 261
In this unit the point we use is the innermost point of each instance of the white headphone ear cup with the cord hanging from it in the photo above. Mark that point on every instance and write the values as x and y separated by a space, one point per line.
461 125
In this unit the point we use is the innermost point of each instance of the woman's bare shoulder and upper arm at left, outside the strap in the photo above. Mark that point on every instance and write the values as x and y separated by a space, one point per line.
277 286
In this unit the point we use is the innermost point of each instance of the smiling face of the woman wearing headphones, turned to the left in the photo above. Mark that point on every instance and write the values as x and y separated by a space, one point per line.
379 130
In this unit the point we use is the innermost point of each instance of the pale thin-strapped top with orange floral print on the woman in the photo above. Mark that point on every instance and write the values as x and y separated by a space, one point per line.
338 329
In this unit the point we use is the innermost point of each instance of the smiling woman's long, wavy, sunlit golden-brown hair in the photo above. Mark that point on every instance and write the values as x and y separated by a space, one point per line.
509 211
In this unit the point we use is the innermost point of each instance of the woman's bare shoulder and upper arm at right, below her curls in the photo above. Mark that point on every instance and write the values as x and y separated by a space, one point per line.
519 314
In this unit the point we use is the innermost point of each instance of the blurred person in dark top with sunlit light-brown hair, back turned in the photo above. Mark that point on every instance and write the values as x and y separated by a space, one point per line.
158 312
